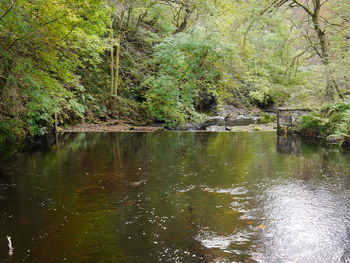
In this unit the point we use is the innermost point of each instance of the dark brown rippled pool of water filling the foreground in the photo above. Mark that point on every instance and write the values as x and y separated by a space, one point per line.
176 197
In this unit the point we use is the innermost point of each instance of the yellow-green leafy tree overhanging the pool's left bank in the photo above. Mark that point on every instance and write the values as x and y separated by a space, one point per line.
47 45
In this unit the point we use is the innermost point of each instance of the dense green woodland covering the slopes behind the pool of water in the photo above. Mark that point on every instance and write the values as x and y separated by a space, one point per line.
172 62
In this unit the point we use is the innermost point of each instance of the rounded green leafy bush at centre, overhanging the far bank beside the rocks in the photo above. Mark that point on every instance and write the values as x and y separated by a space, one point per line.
186 77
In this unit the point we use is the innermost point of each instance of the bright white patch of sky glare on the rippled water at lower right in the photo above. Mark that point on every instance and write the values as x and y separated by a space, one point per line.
305 222
